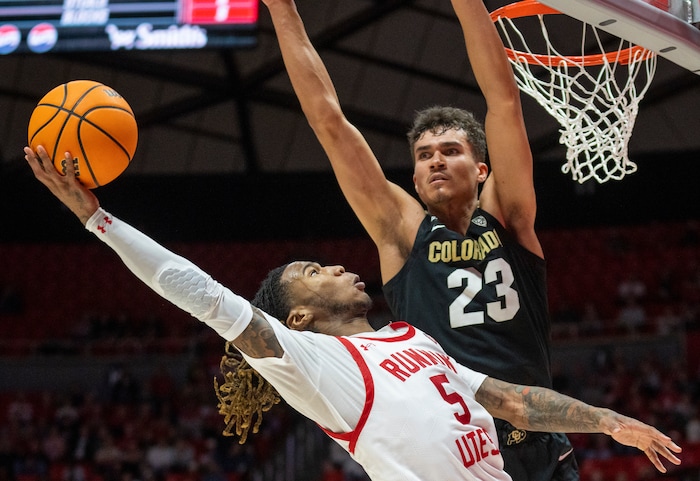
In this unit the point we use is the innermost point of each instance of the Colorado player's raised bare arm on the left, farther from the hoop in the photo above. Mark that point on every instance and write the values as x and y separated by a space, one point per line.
389 214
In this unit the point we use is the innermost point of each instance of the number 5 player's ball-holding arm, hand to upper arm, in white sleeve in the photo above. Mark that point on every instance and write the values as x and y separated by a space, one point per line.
173 277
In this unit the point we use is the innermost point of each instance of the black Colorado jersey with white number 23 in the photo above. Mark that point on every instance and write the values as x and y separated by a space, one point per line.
481 296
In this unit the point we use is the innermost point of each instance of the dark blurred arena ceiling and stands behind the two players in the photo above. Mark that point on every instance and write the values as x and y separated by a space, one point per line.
228 173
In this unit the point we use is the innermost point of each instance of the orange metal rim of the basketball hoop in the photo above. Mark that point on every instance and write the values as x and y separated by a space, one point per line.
530 8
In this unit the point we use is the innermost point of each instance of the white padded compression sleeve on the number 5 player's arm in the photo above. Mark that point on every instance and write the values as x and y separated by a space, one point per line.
173 277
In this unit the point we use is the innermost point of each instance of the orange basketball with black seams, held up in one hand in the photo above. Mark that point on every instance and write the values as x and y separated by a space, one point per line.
92 122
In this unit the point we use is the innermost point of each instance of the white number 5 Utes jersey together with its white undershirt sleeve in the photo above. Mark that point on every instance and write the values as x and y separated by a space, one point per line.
409 407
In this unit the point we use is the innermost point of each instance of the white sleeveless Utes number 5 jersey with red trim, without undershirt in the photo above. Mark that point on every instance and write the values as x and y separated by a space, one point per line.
420 407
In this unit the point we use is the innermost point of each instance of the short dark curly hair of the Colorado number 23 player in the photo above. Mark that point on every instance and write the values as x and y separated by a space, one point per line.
438 119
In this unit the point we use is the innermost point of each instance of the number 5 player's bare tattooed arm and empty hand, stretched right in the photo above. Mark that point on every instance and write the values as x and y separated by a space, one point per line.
541 409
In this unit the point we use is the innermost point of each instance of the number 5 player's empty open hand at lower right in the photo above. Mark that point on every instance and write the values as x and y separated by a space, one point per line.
631 432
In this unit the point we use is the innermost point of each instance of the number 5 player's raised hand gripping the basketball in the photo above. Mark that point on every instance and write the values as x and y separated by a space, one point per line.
79 199
